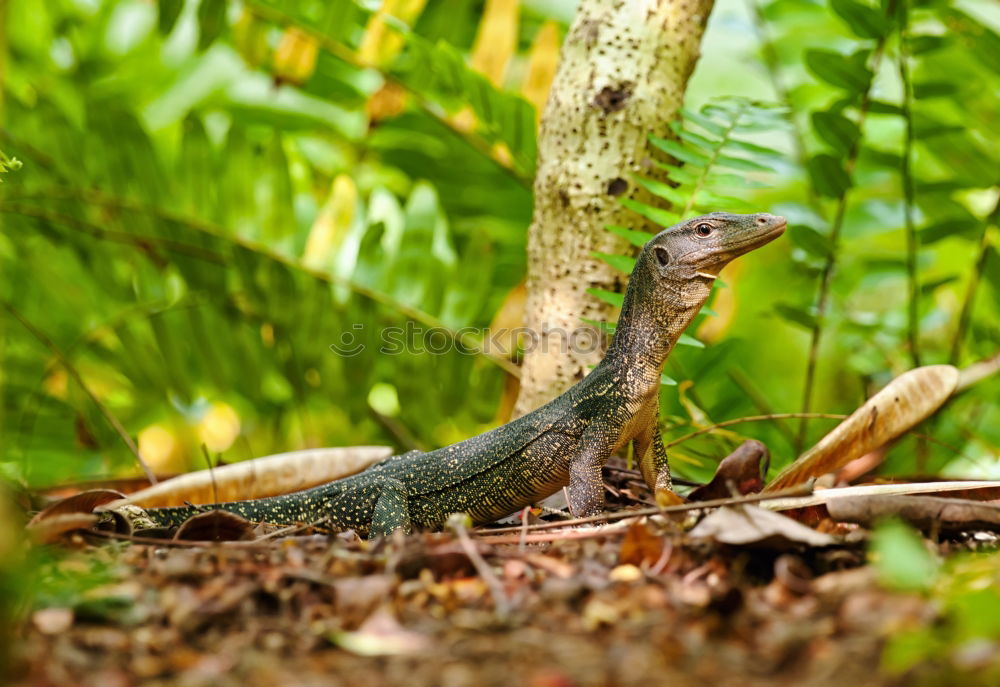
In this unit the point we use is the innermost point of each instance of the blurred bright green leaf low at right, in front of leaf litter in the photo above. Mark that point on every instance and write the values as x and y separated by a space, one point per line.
901 559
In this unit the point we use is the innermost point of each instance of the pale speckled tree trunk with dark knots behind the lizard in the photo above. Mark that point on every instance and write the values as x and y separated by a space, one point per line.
621 77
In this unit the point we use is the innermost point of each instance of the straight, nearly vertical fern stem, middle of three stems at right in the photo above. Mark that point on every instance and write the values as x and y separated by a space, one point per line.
913 311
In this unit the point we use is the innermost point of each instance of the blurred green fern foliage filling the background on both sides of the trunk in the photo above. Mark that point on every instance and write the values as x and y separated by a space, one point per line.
213 194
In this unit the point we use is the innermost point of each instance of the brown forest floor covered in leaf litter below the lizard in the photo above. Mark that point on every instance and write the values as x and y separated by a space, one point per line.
638 602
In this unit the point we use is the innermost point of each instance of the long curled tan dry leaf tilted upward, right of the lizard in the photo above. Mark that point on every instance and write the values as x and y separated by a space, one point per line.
904 402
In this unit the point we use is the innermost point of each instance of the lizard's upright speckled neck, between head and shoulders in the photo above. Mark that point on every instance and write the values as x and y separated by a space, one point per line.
654 314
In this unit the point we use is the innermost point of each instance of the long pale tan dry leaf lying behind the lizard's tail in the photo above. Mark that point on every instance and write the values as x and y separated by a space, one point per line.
282 473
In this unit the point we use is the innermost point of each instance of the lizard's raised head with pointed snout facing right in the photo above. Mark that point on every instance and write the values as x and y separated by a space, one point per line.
699 248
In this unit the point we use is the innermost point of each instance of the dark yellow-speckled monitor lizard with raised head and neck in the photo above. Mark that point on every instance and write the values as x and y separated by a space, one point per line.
566 441
